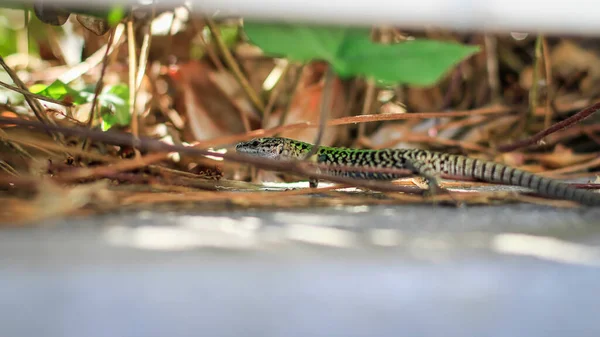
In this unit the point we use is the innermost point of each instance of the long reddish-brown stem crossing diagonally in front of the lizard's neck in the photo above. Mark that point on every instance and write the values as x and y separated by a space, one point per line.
148 144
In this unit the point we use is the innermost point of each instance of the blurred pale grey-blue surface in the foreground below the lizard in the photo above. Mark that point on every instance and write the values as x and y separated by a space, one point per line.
519 270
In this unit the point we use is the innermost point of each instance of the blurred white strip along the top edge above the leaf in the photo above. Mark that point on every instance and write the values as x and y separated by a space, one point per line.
572 17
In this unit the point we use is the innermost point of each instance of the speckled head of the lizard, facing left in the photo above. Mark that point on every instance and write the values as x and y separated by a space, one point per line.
273 148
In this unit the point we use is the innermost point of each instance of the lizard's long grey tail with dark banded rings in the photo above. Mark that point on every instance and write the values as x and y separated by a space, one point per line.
498 173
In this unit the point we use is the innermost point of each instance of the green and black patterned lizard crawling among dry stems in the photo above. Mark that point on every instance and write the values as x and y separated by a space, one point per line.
428 164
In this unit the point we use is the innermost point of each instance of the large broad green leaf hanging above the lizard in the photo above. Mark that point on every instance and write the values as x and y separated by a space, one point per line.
351 52
